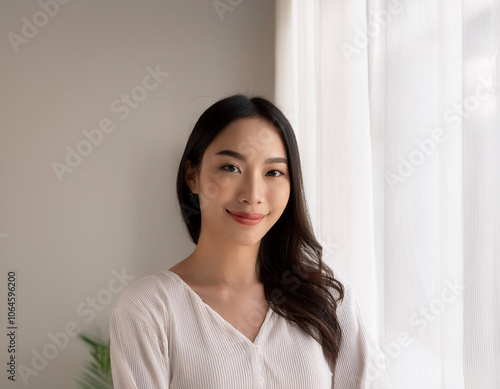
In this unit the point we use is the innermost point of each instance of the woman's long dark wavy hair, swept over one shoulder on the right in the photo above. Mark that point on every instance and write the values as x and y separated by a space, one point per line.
297 284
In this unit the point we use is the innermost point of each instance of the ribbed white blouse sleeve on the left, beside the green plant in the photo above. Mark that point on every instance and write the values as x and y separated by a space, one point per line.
139 359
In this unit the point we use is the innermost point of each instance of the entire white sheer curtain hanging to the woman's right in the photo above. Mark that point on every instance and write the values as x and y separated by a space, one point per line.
395 111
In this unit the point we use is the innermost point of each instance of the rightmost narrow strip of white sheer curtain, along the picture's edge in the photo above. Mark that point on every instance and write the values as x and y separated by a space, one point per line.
481 123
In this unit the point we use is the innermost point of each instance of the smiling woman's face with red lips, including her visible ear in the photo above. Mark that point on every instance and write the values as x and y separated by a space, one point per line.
243 170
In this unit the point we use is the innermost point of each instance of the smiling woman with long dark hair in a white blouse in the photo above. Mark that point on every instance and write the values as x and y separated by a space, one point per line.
253 306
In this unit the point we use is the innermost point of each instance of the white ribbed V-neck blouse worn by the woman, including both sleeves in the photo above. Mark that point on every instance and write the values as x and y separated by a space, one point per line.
164 336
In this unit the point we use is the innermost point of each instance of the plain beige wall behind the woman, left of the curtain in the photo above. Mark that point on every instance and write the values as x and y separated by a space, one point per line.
68 236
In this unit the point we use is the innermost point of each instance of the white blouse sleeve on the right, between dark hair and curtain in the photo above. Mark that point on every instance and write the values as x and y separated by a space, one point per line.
358 365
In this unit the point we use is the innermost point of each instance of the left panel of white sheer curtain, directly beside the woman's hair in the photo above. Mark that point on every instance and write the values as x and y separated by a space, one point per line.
327 102
